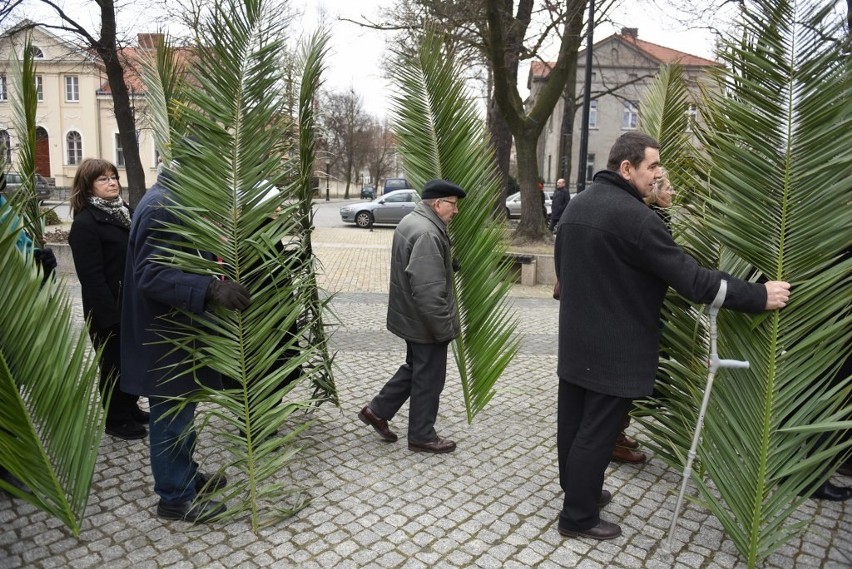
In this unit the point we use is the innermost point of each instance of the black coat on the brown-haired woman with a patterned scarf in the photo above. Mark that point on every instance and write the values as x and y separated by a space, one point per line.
99 245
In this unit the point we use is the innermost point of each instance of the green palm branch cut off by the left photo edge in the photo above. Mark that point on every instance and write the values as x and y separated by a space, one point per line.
51 418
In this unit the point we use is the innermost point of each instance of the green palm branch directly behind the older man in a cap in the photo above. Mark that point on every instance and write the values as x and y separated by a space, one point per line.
442 136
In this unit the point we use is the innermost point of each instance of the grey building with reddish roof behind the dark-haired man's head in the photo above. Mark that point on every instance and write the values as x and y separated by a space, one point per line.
623 68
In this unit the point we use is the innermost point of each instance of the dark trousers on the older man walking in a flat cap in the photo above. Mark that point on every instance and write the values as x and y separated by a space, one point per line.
421 378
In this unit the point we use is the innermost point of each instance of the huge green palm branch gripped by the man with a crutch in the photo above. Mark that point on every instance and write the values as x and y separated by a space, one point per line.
777 202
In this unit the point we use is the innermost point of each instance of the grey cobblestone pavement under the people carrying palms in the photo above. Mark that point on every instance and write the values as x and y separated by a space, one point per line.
492 503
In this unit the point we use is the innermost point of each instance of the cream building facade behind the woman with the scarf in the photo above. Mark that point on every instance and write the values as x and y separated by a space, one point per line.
74 118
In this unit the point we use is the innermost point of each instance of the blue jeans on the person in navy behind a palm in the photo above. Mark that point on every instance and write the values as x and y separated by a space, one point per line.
172 444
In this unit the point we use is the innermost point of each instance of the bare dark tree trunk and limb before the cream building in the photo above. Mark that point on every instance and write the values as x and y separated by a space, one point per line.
105 44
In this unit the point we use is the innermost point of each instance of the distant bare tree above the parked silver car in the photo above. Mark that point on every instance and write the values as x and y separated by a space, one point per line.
345 127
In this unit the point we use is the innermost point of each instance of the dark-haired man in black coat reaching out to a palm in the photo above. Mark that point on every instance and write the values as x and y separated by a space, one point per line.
615 259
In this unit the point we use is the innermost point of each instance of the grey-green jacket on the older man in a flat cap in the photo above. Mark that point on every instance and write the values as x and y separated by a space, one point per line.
422 304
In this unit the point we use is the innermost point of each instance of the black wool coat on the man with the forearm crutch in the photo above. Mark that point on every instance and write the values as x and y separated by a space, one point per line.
615 259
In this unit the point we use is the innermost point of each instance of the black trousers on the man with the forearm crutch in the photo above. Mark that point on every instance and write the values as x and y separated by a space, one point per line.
587 426
